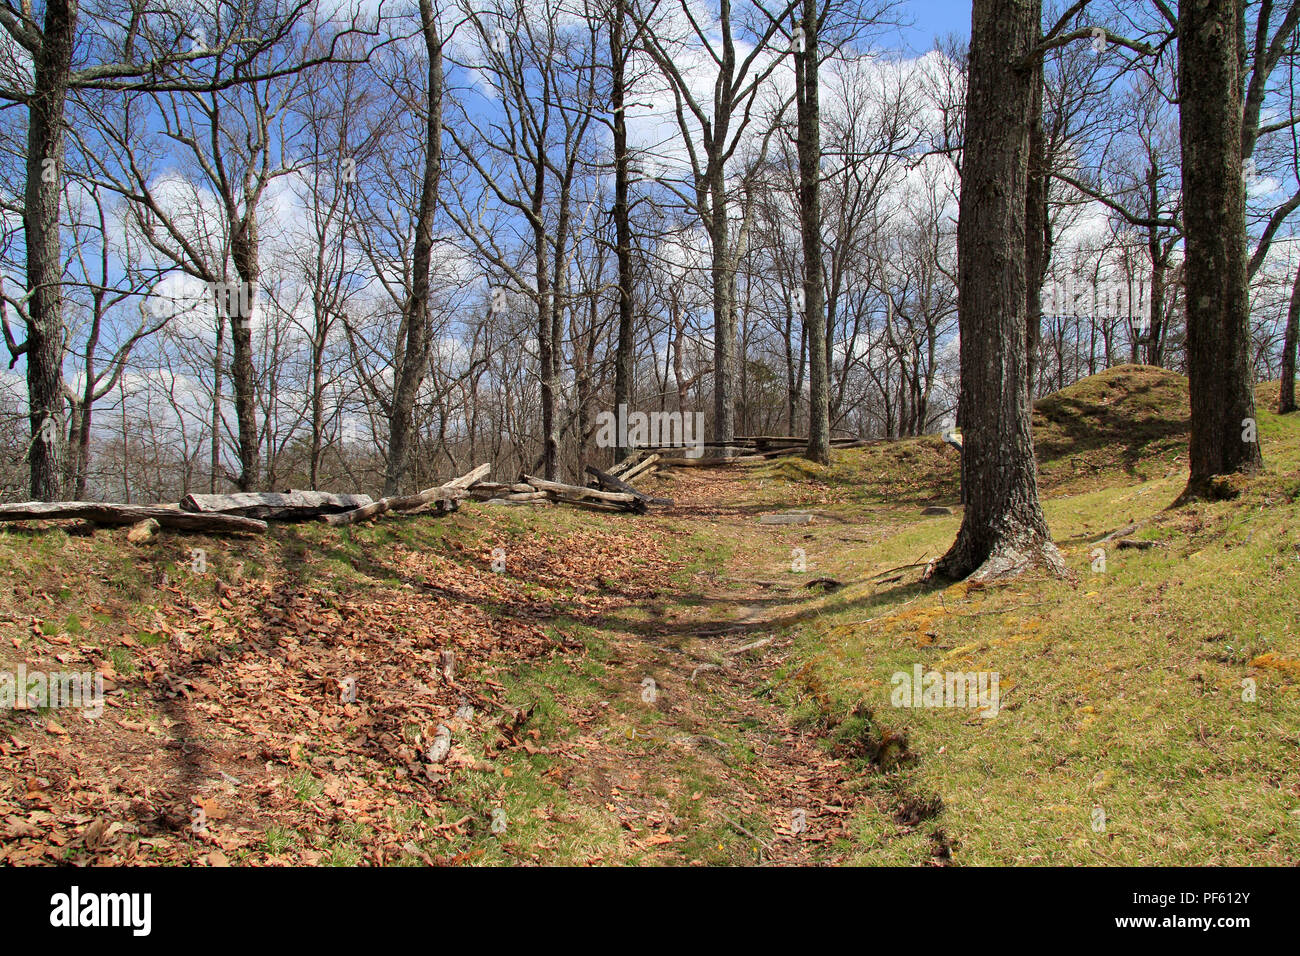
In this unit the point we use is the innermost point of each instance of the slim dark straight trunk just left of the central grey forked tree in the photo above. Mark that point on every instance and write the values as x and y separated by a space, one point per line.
623 360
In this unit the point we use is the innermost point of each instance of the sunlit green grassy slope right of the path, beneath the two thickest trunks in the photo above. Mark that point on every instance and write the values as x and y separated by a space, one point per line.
1123 691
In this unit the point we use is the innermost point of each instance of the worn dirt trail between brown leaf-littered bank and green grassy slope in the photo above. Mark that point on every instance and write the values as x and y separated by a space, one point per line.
716 664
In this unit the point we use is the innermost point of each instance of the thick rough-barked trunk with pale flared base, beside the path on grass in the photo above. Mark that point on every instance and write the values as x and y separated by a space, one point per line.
1003 531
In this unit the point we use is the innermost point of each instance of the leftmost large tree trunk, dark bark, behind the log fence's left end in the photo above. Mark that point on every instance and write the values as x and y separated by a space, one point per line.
45 347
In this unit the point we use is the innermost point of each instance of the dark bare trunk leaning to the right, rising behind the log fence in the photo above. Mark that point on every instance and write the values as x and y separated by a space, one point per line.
415 334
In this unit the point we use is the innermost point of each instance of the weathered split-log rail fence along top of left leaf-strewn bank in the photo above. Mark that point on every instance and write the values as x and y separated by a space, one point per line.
252 512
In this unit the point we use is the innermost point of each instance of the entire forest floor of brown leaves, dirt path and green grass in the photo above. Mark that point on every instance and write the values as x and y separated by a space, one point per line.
690 687
